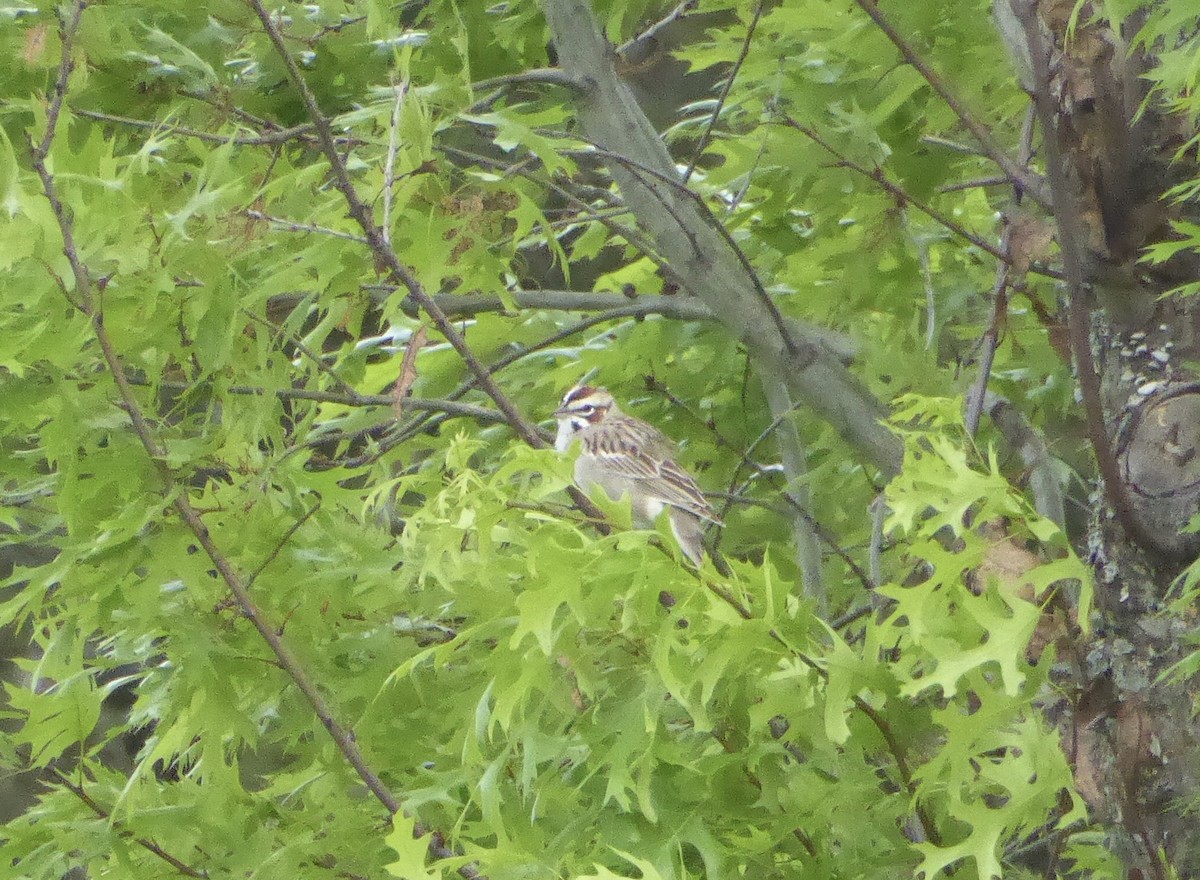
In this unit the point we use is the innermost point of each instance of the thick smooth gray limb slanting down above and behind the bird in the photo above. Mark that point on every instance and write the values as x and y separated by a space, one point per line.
686 234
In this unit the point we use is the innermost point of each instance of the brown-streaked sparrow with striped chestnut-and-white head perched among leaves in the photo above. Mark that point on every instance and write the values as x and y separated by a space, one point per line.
625 456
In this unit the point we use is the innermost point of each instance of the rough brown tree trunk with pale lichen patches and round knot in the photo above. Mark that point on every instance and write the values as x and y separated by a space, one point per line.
1138 763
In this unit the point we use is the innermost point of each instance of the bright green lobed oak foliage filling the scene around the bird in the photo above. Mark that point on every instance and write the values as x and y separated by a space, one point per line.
555 703
